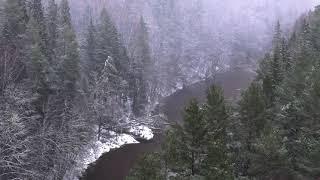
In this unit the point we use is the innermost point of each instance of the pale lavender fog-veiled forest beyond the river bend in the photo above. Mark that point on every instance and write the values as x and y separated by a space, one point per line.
189 35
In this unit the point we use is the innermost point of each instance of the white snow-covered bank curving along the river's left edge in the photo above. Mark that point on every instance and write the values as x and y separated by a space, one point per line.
98 148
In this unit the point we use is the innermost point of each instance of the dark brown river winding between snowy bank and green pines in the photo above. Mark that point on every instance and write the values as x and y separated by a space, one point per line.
116 164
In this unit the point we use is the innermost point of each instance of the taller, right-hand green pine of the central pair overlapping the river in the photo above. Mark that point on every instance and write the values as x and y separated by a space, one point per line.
218 163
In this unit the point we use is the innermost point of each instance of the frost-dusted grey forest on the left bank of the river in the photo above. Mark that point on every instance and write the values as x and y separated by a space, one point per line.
57 94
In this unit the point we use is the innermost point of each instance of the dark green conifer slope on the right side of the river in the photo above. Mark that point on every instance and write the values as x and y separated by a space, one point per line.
273 132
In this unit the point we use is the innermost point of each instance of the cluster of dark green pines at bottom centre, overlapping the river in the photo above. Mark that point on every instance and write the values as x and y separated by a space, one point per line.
198 149
